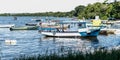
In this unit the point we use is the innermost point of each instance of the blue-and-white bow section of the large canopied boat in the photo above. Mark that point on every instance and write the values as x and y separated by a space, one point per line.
88 30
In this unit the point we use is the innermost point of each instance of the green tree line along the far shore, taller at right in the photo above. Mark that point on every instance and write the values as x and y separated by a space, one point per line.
104 10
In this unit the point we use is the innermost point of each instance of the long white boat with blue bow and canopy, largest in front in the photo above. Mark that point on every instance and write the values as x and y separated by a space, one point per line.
83 30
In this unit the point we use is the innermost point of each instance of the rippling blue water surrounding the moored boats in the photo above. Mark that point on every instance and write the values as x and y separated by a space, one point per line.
32 42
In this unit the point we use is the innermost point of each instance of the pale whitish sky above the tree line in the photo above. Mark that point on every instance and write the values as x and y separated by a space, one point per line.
33 6
